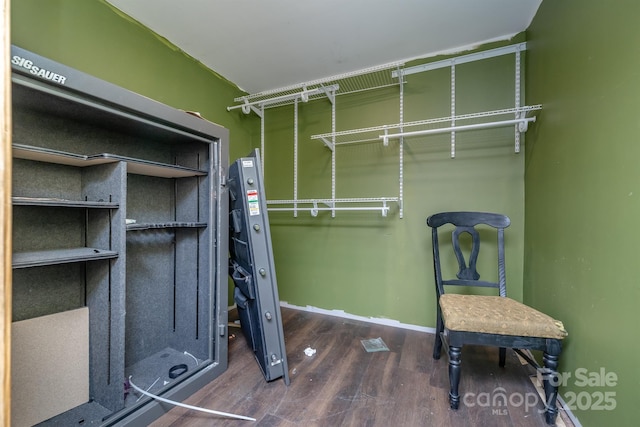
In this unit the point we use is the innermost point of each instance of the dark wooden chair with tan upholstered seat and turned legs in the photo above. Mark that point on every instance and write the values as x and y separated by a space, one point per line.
493 320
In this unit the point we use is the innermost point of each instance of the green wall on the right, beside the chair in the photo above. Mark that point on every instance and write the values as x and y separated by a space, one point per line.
582 200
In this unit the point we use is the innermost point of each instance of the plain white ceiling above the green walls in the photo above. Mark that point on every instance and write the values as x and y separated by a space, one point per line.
270 44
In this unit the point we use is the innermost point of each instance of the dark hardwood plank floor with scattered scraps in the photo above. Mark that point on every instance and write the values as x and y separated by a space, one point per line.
343 385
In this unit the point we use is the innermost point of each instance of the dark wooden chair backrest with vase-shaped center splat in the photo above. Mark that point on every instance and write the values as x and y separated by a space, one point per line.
466 222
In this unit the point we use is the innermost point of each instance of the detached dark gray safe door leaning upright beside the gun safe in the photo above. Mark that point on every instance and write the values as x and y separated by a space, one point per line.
251 267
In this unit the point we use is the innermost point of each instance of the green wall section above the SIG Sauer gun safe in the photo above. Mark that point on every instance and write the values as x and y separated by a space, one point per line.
95 38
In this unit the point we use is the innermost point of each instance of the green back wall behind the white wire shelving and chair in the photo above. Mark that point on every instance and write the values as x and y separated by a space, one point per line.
363 263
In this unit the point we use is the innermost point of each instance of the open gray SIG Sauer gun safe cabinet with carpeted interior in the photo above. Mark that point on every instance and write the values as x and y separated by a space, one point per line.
119 209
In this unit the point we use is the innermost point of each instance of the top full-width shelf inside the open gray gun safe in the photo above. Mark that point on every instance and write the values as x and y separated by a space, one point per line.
134 166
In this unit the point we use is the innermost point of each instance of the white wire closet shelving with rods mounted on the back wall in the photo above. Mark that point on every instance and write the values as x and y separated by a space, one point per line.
519 117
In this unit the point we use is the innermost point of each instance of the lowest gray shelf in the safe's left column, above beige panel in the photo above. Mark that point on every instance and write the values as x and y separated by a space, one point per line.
59 256
